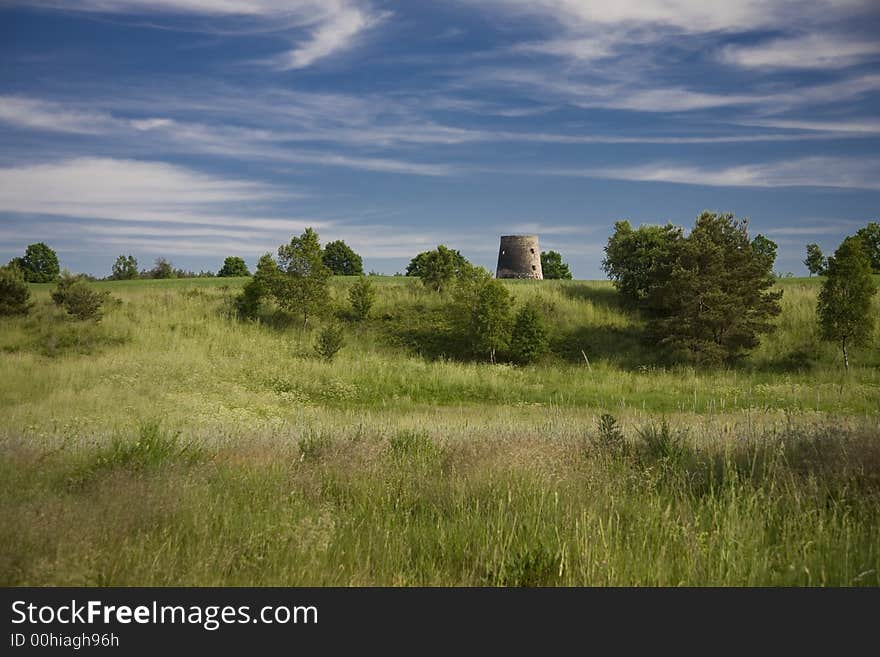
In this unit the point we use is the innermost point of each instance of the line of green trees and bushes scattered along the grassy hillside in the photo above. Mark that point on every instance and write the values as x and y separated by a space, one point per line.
706 296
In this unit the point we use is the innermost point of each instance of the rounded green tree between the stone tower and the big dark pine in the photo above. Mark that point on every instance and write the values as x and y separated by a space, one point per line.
635 259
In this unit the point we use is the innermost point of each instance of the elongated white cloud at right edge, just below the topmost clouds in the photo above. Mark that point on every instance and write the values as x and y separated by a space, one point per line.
810 51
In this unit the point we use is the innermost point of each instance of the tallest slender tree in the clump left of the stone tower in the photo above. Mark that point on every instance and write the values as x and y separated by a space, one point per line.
302 286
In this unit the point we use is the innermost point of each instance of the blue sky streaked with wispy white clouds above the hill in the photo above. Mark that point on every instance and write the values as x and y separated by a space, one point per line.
197 129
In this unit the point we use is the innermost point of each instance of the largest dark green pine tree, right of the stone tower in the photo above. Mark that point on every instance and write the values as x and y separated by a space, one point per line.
714 298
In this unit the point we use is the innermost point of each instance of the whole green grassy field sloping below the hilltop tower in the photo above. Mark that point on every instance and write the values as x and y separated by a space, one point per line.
173 444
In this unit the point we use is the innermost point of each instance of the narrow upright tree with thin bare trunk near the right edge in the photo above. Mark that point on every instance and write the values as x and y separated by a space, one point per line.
844 308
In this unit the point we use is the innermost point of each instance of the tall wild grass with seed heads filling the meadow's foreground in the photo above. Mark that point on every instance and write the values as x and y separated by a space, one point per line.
420 509
